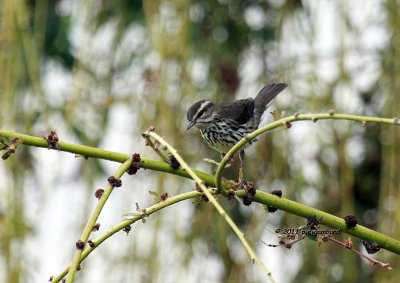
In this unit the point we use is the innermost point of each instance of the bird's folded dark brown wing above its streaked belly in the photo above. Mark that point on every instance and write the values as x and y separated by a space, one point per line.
240 111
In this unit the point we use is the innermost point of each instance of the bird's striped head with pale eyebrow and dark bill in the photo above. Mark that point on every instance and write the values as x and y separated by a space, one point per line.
200 113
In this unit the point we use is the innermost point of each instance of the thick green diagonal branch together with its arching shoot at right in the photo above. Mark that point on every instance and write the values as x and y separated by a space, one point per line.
331 221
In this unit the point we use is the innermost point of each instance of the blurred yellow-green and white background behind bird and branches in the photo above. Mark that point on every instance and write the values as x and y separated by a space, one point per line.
102 72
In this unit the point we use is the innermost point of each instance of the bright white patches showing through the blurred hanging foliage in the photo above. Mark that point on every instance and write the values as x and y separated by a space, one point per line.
65 194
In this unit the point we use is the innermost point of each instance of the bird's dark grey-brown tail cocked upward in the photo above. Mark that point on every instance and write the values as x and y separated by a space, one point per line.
266 94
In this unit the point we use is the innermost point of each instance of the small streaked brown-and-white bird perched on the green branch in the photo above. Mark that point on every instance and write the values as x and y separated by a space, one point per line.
223 125
